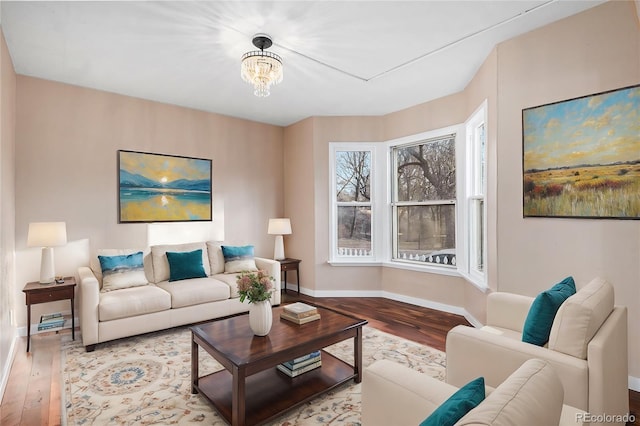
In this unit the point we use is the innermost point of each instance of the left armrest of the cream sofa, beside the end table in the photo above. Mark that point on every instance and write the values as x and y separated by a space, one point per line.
89 292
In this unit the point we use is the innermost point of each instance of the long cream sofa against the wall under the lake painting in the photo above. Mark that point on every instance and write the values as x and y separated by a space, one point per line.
161 304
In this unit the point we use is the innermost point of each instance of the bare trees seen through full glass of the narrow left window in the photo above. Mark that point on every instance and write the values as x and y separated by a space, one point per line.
353 198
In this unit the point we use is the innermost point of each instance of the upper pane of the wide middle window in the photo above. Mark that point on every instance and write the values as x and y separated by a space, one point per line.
426 172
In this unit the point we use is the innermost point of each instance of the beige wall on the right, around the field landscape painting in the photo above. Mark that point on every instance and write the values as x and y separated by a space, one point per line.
591 52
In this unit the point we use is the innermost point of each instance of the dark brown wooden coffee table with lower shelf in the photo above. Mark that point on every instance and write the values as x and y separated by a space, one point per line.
251 390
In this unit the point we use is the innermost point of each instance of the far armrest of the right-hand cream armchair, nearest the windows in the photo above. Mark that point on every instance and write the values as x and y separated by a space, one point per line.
508 310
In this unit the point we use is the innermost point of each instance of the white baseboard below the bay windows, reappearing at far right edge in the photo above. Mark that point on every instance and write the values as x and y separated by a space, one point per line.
634 382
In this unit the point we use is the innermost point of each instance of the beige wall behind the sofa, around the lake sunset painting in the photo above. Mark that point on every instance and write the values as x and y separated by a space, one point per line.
67 139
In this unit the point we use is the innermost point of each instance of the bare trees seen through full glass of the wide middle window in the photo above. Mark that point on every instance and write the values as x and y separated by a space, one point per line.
424 201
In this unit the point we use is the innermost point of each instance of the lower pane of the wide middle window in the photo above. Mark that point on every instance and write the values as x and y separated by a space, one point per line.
426 234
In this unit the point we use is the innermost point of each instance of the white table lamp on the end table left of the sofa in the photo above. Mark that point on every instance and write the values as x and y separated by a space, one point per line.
47 235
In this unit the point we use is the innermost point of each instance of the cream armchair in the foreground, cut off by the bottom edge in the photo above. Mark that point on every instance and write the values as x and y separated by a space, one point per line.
393 394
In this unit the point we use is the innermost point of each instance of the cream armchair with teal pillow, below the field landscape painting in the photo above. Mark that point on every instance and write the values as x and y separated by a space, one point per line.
587 347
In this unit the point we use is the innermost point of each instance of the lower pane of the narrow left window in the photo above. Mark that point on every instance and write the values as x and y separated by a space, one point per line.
354 231
